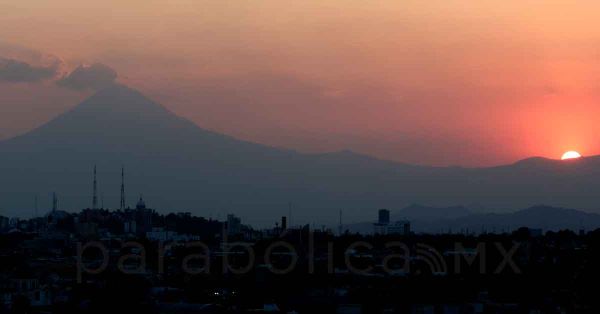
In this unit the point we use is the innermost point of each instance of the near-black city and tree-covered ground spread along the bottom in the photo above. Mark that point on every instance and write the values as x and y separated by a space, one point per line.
96 262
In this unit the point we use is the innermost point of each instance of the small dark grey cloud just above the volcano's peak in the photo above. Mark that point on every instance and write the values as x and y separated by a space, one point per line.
94 77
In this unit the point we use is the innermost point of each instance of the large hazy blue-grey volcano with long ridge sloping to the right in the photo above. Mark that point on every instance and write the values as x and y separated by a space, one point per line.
179 166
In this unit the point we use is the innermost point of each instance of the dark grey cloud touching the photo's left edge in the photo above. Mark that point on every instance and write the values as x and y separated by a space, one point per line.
16 71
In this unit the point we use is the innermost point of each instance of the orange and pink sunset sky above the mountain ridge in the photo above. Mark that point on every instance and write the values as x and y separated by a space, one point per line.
469 83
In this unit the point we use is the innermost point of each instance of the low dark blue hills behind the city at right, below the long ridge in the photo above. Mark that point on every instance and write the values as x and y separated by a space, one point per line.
538 217
